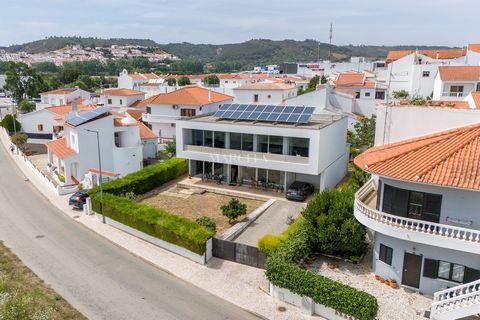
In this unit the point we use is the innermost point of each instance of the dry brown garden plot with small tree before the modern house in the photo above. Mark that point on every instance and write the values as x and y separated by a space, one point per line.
194 203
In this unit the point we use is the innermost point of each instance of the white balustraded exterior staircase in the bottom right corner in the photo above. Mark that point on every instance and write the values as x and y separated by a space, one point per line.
457 302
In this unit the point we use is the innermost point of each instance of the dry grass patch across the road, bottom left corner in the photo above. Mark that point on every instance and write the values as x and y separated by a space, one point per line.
25 296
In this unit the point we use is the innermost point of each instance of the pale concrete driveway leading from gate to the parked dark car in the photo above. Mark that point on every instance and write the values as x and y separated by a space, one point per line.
273 220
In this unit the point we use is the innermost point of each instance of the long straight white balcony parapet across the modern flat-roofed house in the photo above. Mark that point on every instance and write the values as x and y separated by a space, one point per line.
247 155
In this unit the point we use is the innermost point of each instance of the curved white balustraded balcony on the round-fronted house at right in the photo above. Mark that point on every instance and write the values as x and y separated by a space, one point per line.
436 234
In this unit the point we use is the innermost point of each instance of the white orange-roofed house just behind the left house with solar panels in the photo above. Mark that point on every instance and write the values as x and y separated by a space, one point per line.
42 123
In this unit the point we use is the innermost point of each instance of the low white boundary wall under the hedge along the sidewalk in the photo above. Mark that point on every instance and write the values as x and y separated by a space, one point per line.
202 259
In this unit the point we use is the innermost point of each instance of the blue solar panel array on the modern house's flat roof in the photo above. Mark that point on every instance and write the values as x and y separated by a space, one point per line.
268 113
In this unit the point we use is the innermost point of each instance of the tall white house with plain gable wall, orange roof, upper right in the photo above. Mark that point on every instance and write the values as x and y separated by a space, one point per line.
415 70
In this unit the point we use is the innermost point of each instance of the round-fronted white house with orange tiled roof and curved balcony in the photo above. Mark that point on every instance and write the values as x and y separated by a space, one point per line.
422 209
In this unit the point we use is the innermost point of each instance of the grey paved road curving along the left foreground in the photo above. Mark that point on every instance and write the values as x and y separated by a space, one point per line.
100 279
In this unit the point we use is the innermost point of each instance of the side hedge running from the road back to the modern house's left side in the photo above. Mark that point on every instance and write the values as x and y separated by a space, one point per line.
146 179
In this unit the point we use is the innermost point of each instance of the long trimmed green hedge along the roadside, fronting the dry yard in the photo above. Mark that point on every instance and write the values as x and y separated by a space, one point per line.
154 222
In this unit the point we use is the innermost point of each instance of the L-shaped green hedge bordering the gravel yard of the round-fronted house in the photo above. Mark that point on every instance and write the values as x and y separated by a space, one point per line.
283 270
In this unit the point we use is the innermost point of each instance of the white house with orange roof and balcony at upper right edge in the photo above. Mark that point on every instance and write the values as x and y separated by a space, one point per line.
456 82
